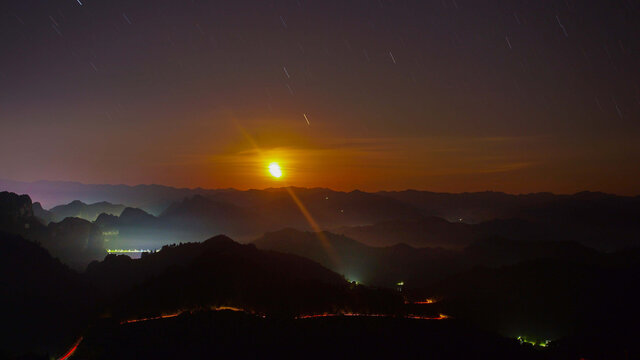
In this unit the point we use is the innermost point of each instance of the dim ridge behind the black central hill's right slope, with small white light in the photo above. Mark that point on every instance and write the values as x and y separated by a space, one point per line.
415 267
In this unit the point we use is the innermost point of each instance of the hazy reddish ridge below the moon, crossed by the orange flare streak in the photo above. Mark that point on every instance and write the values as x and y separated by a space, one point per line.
254 212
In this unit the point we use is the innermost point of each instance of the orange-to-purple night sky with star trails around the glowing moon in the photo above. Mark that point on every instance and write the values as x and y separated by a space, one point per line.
447 95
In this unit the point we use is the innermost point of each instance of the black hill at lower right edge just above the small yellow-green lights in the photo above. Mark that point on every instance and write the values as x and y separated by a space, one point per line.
550 298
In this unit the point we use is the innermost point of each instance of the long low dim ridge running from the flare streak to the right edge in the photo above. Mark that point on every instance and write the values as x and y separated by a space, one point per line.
560 225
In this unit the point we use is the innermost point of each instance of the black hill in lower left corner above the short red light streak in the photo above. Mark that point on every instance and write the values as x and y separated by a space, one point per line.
44 304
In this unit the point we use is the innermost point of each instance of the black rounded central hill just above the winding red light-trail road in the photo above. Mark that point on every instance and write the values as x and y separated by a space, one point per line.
221 272
